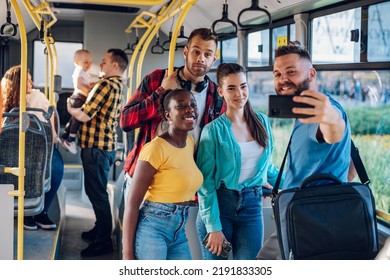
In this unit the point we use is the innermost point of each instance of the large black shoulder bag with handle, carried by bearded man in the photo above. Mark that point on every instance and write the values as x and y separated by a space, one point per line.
333 220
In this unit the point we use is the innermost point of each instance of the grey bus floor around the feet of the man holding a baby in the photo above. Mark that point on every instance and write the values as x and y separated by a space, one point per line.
65 242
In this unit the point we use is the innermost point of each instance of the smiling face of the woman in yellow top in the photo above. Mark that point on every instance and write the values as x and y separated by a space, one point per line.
182 111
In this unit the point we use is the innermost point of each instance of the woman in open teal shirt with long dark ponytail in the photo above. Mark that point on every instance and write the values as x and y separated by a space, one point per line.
234 155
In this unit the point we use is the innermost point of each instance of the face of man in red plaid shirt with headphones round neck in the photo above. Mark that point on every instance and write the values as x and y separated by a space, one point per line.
199 56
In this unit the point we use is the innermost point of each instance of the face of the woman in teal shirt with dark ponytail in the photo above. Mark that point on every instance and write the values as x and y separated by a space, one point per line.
234 90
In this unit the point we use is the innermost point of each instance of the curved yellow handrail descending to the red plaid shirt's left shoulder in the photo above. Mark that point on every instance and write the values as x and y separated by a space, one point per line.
161 18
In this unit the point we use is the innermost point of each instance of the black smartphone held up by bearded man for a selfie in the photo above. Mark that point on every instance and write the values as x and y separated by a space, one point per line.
280 106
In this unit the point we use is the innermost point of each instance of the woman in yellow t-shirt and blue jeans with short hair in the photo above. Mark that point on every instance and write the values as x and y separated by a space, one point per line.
166 178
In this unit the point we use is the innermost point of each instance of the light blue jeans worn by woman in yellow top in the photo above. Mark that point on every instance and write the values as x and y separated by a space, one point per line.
161 232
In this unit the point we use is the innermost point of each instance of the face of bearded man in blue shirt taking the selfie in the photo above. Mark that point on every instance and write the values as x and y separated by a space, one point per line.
292 75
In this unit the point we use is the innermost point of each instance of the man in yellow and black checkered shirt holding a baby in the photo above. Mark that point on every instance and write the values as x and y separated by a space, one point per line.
97 138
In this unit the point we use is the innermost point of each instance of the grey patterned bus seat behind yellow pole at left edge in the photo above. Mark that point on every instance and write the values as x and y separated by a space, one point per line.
35 162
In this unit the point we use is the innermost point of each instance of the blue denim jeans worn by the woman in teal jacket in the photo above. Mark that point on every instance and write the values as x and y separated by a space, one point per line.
241 216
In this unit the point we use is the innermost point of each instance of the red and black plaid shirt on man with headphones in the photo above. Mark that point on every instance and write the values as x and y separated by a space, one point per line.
141 111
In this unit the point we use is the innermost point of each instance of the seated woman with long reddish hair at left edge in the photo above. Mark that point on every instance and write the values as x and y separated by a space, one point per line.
35 99
